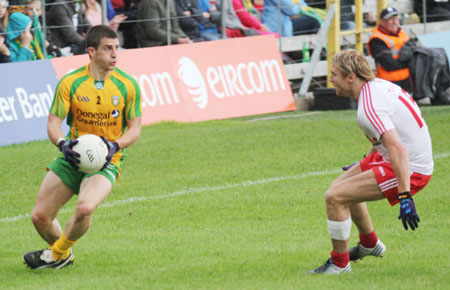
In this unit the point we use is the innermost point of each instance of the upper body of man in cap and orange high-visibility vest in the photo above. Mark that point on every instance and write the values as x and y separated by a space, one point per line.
384 45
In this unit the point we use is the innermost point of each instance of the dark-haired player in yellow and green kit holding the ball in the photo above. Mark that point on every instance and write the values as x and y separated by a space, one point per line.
99 99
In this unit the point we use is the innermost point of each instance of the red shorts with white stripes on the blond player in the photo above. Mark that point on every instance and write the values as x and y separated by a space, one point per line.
386 179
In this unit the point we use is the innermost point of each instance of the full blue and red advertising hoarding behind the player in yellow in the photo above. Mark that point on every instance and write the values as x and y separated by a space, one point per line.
186 83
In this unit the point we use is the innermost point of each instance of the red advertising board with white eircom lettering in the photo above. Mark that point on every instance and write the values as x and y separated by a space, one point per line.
204 81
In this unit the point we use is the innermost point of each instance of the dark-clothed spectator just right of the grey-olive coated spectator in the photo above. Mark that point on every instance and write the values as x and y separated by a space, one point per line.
194 22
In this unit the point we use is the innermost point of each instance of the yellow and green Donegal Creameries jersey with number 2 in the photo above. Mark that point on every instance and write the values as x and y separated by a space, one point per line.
97 107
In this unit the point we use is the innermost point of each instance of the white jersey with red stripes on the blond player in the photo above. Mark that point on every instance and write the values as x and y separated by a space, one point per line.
383 106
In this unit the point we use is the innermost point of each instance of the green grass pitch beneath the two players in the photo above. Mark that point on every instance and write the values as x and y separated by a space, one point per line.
232 204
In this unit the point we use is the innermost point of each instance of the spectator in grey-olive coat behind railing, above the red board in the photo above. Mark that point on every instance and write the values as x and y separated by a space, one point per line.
152 29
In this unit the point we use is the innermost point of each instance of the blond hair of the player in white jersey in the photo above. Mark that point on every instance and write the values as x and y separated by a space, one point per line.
352 61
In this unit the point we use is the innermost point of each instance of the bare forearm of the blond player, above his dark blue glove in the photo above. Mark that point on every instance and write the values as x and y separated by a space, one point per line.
398 155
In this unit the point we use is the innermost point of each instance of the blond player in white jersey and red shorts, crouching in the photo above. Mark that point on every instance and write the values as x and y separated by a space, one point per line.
399 165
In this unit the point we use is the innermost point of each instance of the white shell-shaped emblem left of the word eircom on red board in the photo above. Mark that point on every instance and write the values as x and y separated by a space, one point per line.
190 74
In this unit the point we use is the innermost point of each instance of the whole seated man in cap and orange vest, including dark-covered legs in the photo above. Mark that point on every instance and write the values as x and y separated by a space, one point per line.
423 71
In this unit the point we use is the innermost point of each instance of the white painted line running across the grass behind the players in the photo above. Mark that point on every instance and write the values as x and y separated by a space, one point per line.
208 188
